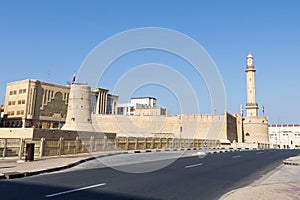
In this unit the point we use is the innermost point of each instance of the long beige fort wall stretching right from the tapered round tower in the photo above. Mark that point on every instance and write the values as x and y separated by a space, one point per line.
196 126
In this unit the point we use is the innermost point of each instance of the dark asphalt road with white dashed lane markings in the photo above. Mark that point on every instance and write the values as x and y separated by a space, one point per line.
186 178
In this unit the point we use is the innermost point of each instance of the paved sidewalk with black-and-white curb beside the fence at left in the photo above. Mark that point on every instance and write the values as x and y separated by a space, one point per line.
12 168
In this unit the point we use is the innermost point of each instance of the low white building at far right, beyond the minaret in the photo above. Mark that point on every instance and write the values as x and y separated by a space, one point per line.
285 136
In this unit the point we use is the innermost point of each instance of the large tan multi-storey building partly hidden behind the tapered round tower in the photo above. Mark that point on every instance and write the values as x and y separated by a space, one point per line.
33 103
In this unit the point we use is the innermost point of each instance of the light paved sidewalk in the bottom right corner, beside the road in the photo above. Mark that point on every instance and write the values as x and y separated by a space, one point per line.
283 184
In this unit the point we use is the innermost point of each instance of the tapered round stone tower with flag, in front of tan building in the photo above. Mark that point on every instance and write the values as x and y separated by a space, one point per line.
79 111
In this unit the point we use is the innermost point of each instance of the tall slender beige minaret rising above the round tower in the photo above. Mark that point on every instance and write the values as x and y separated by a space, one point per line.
251 106
